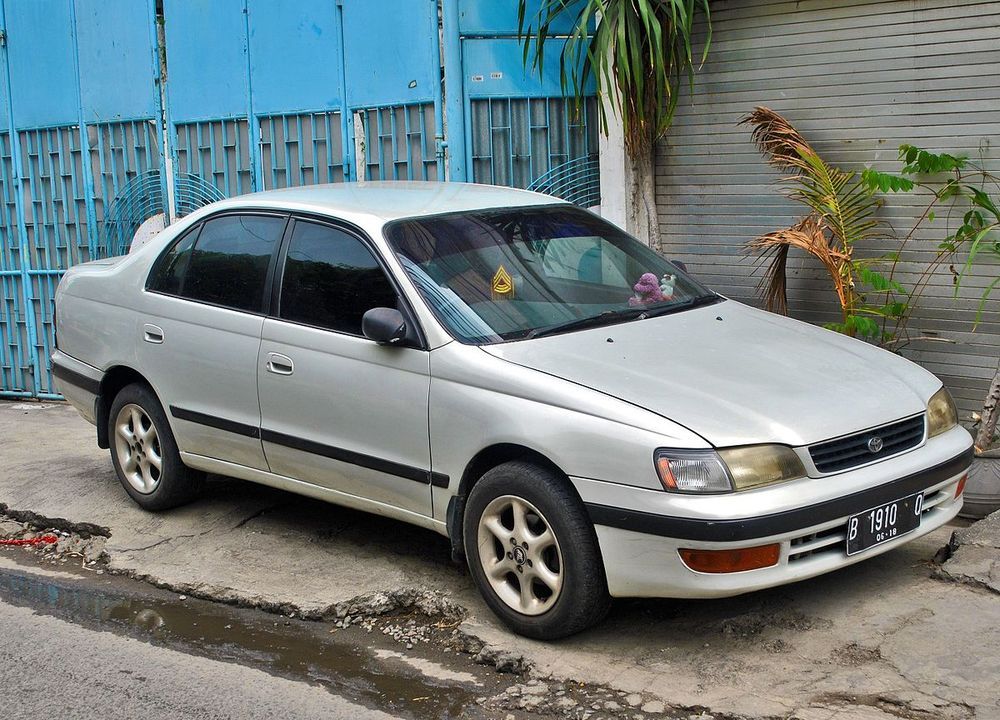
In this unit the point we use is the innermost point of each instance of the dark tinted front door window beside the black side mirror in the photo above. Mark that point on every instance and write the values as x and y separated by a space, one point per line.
331 279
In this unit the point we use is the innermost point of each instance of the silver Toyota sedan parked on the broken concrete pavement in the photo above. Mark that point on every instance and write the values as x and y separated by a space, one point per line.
581 417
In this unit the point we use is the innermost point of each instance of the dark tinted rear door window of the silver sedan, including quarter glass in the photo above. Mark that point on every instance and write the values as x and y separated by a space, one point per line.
225 265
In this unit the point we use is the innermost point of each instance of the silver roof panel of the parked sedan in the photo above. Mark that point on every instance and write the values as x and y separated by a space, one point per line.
386 201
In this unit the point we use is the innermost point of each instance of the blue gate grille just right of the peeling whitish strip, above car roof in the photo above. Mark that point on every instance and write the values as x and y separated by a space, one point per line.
399 142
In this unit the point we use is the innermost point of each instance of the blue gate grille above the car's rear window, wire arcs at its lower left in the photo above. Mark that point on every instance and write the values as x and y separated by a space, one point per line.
217 151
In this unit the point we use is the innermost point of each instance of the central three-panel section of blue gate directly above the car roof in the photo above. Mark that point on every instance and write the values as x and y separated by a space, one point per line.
282 111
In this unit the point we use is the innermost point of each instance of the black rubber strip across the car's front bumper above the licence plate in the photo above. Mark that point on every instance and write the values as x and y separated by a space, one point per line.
777 523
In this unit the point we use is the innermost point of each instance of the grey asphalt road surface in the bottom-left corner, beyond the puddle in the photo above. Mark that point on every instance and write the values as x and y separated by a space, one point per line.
55 669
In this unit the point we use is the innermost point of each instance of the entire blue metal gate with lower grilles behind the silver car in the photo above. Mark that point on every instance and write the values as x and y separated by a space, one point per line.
111 113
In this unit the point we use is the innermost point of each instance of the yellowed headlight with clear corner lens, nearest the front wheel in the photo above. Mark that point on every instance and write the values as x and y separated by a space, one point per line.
743 468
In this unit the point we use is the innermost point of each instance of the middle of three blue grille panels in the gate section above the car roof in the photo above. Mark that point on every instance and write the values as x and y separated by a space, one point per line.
301 149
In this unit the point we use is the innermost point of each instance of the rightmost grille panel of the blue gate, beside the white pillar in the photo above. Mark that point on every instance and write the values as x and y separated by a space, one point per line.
515 141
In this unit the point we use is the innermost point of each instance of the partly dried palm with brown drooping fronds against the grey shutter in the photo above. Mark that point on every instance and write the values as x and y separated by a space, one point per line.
841 208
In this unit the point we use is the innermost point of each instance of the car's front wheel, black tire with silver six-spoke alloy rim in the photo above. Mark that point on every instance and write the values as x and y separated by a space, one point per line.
522 523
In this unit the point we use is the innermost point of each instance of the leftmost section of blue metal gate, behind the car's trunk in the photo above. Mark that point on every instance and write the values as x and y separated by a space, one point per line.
78 120
